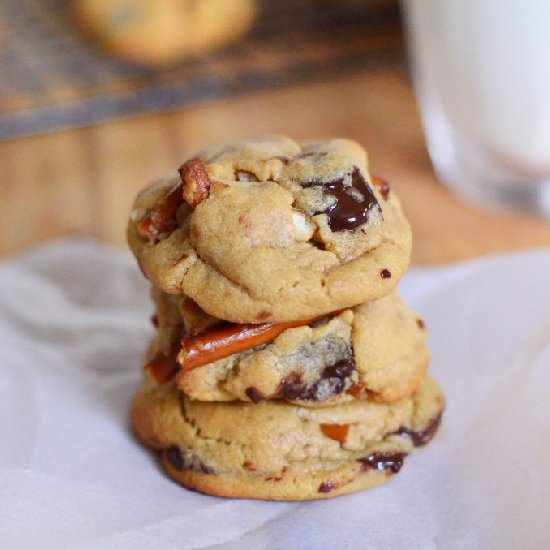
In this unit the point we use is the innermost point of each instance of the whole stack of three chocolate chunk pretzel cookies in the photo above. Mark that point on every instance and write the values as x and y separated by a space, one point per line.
285 365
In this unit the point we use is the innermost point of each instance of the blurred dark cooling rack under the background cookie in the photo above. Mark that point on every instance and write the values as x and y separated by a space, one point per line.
52 78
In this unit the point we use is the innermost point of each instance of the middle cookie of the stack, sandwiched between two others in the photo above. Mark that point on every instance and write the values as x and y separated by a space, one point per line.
374 351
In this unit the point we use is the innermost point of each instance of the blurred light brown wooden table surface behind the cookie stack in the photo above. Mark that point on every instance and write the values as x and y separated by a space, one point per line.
83 181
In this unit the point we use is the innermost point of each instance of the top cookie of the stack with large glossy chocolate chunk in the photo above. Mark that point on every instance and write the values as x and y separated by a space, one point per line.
272 230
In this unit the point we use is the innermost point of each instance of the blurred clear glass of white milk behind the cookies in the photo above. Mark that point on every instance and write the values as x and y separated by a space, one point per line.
482 76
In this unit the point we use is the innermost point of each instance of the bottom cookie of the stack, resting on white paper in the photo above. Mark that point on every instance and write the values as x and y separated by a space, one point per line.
279 451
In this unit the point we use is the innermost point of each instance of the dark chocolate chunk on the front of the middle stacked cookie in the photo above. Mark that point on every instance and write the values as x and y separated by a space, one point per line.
332 376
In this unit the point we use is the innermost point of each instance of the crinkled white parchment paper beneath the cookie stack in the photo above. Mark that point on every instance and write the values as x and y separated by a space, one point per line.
73 326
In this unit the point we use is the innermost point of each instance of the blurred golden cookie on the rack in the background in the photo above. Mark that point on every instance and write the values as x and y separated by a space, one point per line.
157 32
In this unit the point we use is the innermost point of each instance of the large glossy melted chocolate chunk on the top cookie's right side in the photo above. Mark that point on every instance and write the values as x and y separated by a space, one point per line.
353 202
